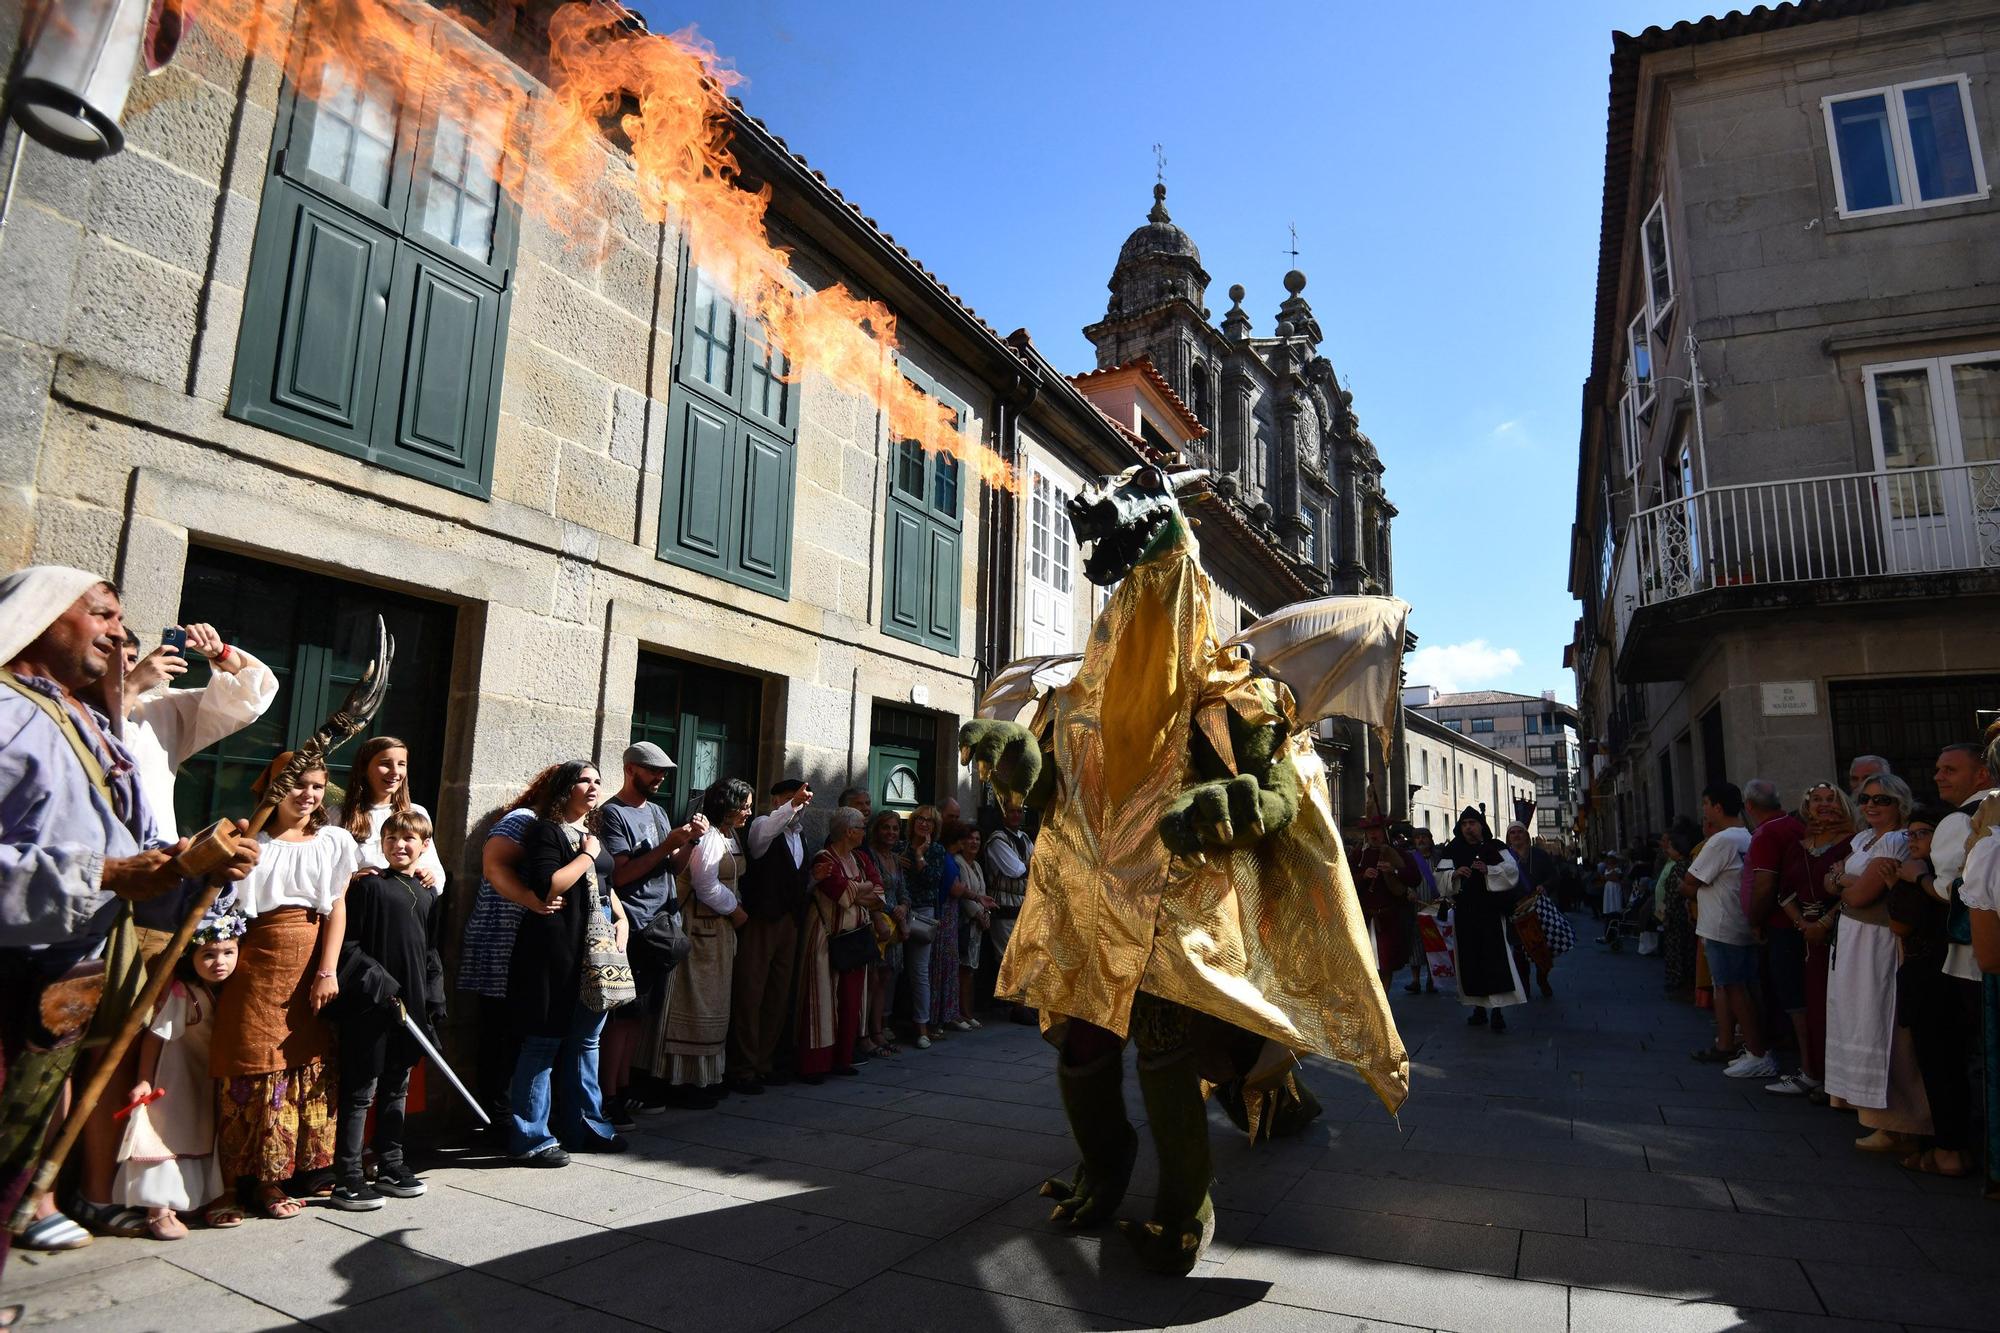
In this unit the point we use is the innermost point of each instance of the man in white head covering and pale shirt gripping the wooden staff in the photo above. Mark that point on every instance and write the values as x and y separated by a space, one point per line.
77 848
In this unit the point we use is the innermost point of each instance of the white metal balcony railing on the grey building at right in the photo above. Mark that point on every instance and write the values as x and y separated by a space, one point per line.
1817 529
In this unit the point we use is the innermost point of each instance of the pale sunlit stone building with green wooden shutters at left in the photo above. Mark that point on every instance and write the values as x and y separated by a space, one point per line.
283 367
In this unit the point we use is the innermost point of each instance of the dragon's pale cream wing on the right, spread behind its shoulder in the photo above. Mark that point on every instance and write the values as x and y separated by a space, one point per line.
1341 655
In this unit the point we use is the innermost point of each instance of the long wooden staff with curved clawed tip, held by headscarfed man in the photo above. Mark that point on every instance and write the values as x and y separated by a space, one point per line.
219 848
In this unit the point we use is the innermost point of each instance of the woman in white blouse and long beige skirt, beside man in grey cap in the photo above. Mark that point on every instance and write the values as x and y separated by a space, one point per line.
699 992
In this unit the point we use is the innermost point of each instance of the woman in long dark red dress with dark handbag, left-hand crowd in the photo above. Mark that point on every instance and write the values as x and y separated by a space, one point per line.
829 992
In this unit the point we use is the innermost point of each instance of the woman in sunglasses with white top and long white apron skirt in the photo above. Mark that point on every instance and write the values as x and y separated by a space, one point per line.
1871 1064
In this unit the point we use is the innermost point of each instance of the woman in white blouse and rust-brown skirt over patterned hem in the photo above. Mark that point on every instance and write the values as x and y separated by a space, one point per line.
273 1056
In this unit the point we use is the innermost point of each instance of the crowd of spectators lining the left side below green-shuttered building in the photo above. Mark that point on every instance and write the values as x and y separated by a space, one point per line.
617 960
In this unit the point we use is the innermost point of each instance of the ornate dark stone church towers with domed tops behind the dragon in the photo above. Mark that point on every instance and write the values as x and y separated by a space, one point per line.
1281 431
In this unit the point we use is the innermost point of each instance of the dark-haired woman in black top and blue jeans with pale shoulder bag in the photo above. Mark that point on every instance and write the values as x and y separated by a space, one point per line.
561 862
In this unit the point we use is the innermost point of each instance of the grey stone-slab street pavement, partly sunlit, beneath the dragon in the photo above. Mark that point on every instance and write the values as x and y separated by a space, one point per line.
1575 1174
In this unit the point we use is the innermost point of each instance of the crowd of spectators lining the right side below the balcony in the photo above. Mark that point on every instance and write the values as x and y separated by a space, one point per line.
1847 946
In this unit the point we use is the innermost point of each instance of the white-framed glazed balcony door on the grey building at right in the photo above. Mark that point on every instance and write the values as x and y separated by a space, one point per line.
1937 439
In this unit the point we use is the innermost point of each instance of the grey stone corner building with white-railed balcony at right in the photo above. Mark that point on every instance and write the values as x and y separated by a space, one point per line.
1799 561
